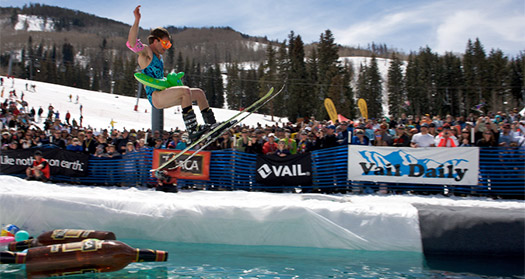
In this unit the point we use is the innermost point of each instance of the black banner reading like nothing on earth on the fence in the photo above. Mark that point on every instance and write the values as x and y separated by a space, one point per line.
61 162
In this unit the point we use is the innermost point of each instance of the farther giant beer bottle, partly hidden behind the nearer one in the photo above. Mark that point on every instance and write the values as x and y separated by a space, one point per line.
60 237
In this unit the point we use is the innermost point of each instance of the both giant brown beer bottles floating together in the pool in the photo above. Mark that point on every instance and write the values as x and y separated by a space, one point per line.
68 252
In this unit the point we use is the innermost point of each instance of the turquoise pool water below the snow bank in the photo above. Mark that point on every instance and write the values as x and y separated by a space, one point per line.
229 261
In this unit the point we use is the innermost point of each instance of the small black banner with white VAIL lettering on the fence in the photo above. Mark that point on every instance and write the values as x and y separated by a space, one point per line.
292 170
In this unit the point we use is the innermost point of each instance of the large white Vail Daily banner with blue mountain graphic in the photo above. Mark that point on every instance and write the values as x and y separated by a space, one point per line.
437 165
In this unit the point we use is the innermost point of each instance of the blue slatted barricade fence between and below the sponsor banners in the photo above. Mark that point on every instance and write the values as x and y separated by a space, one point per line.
502 173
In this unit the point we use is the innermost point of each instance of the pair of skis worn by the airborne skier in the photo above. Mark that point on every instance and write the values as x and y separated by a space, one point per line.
215 133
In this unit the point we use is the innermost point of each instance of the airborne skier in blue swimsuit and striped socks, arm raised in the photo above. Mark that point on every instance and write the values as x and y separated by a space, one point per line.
151 63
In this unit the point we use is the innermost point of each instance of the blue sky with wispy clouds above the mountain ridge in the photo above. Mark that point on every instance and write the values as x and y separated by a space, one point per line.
406 25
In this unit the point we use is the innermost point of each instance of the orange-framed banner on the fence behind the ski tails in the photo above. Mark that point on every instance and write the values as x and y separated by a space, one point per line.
197 168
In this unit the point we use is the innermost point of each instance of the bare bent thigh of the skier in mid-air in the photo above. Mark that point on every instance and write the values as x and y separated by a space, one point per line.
173 96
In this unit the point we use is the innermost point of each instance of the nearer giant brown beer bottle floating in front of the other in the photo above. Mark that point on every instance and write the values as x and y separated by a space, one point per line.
89 255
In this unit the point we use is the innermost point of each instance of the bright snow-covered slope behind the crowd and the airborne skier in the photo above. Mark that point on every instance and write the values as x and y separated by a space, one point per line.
99 108
